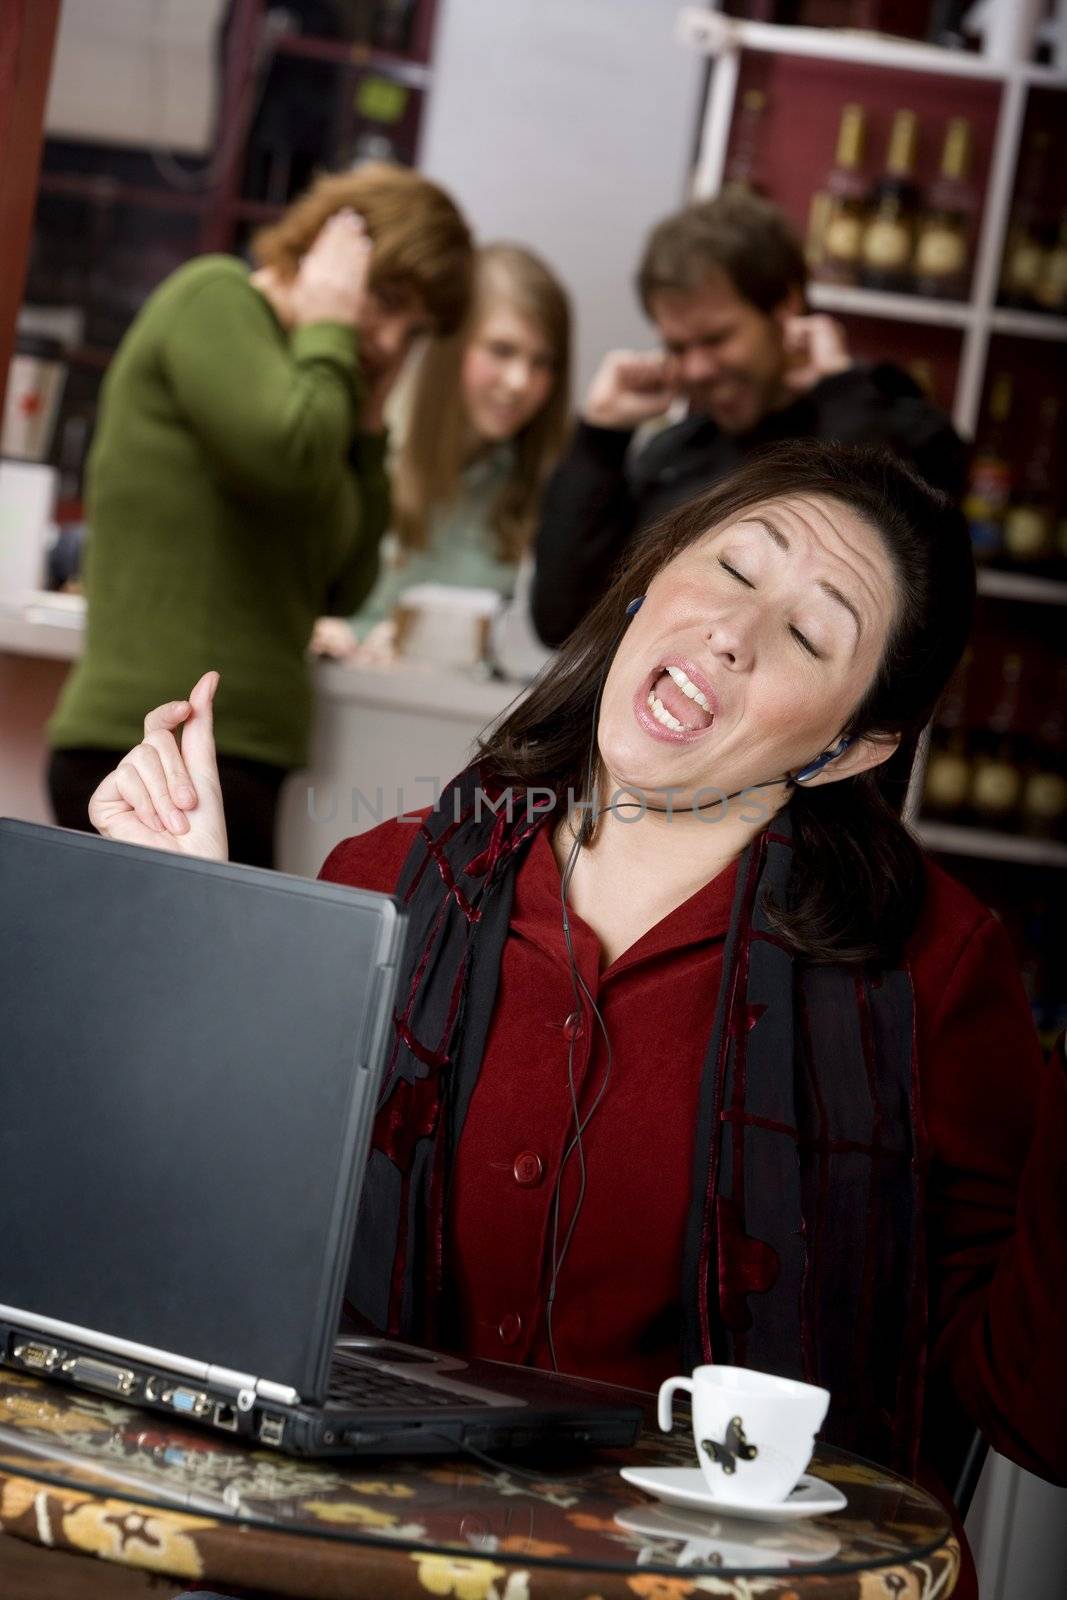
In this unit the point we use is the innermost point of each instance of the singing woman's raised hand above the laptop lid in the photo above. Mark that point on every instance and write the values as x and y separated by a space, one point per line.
167 796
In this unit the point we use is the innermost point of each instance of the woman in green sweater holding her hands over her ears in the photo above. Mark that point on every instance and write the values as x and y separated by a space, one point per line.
238 486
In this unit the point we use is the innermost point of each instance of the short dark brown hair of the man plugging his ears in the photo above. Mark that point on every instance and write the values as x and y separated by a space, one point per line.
748 239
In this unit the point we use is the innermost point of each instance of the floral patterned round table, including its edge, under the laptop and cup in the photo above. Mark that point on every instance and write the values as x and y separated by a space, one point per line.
98 1478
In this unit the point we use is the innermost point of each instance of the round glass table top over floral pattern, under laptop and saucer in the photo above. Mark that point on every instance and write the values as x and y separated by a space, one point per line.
575 1514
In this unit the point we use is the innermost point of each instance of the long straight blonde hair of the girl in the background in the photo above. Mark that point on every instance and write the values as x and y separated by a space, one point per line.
431 458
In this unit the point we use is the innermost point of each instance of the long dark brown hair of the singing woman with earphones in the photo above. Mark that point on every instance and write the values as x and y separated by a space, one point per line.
858 874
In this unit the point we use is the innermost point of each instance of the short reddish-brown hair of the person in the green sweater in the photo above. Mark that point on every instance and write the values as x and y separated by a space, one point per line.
422 242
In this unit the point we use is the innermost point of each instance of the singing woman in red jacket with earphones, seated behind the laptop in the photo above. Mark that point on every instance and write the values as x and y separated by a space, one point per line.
697 1057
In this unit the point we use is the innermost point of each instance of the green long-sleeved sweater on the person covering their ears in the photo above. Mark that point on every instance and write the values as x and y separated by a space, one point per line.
230 505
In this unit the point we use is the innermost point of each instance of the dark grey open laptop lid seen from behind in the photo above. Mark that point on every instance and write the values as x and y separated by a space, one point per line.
190 1058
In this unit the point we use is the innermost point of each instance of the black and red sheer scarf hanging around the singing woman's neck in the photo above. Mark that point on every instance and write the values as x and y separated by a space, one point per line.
805 1244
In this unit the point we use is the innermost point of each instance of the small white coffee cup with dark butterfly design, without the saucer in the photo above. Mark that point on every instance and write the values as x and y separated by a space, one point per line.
754 1433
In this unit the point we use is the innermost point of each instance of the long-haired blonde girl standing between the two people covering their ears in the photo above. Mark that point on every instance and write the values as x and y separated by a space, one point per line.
486 422
